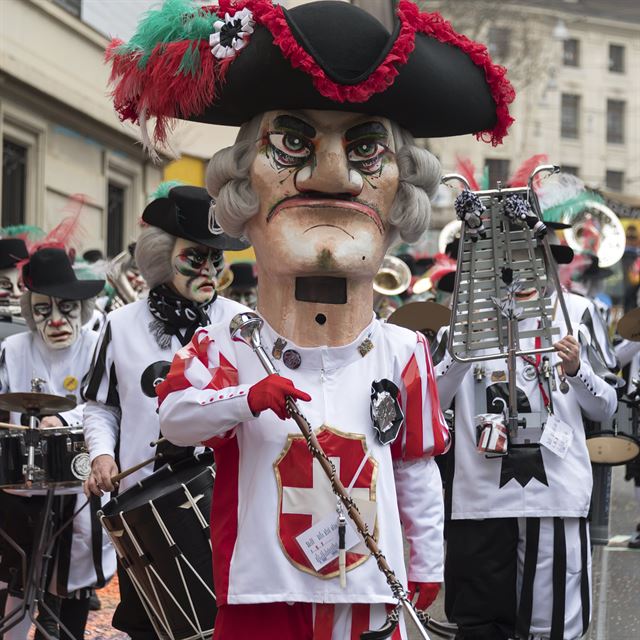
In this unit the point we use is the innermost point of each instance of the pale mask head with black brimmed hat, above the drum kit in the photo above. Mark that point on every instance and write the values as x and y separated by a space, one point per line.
56 304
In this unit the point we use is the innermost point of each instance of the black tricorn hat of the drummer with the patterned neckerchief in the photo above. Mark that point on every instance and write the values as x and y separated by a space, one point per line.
184 213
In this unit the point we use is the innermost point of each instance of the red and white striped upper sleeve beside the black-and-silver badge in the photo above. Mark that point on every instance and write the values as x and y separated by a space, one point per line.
424 432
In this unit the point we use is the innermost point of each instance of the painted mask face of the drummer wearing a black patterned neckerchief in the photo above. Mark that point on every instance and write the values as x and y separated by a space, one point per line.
195 268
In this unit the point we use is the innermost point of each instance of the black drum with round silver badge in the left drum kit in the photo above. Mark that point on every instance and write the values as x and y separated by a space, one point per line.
65 456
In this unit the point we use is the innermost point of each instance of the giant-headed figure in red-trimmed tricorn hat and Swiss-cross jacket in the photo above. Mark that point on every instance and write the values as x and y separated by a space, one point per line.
322 179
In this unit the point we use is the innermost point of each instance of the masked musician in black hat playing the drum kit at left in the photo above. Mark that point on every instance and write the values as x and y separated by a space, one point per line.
54 355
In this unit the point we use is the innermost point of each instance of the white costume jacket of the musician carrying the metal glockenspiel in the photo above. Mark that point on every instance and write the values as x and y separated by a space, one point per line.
541 484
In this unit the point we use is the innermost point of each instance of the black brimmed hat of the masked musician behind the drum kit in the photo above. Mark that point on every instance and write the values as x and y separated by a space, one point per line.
49 271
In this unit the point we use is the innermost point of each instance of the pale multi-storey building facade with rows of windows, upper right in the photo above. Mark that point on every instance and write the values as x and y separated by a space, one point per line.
574 65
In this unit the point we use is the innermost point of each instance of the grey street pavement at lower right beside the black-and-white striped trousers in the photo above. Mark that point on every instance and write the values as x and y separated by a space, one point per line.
616 573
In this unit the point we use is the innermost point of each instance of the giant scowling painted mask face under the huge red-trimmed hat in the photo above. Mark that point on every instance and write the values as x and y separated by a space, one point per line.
326 181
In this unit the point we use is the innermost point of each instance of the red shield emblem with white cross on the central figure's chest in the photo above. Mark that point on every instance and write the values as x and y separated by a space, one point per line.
305 495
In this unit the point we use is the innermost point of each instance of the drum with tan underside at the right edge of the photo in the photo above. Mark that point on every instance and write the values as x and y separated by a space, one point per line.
615 441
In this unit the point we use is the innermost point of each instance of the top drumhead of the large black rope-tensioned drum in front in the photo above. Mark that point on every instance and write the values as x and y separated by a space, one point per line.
163 482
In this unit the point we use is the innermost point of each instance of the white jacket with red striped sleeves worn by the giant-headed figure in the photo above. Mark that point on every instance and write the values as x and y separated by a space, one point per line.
269 490
